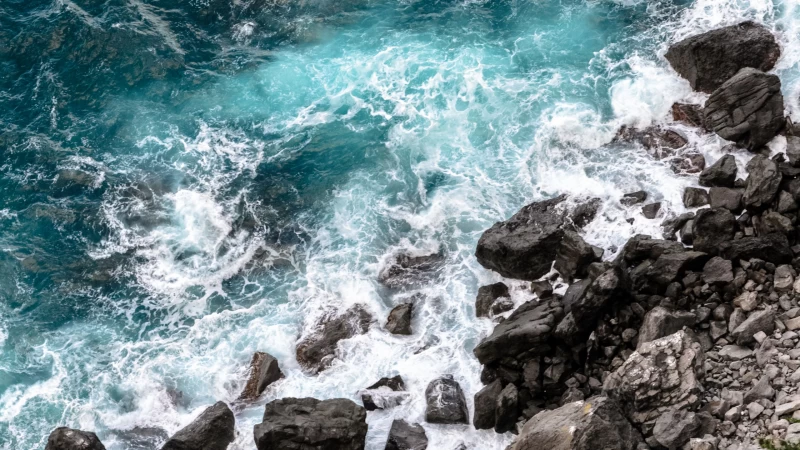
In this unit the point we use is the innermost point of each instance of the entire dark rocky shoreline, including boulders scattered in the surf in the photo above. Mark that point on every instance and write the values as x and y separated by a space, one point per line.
682 341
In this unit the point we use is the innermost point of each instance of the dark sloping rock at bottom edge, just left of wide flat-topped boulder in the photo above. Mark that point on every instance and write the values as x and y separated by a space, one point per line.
211 430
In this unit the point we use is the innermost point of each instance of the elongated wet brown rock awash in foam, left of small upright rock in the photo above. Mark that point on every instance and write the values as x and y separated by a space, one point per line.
317 351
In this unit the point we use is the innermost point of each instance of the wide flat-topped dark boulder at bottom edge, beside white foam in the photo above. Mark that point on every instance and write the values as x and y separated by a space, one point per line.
311 424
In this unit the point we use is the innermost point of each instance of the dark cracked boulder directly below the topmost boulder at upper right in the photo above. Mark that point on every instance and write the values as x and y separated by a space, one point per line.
747 109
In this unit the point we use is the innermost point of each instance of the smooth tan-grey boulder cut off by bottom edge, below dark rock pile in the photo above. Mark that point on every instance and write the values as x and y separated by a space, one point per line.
596 423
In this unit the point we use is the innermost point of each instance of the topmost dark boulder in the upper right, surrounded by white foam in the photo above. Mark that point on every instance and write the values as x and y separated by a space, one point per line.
708 60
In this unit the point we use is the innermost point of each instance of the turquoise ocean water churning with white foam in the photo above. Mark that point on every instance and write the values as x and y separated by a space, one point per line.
183 183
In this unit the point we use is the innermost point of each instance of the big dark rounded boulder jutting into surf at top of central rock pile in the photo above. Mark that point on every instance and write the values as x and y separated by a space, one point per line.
524 246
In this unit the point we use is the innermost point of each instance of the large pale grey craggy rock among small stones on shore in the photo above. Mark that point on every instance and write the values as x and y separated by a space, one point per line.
660 374
